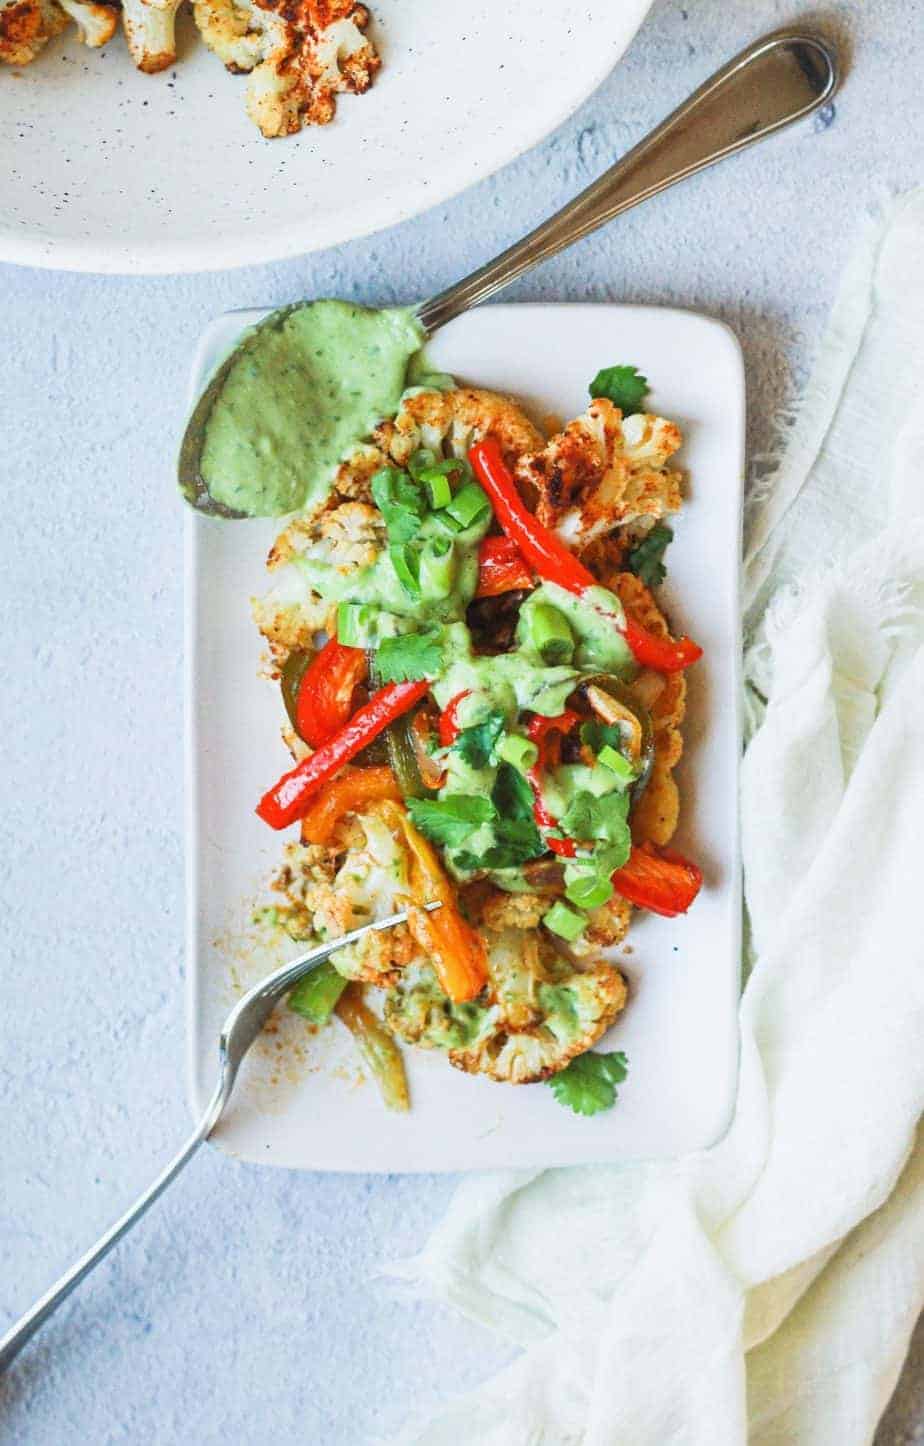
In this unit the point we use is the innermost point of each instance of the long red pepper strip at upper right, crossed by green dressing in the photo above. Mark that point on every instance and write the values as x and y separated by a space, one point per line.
556 563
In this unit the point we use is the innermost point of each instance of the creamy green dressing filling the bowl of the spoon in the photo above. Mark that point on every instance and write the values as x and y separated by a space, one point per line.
306 385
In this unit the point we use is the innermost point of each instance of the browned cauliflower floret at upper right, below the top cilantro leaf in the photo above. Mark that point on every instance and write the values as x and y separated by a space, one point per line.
602 474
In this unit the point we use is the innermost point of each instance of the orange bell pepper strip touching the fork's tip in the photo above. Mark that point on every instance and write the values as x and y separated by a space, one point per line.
453 946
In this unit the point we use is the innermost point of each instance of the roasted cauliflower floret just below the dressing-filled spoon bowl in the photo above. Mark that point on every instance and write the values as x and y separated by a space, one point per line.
349 537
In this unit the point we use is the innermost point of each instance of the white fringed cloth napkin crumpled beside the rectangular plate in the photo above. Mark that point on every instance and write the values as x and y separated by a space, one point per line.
766 1291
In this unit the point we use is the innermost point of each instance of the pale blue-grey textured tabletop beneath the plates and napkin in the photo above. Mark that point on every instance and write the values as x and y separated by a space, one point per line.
247 1309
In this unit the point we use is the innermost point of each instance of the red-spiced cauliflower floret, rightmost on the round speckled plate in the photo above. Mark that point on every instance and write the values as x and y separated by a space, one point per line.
300 56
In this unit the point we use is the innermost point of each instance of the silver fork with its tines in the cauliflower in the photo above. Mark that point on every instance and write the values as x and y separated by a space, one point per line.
241 1030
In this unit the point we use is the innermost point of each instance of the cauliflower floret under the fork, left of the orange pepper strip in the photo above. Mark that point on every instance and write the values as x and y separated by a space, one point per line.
332 891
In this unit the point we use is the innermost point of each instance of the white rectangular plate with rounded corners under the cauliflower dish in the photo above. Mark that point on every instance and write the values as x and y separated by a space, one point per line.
303 1101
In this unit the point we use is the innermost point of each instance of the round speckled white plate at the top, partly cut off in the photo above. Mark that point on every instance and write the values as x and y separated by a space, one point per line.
114 171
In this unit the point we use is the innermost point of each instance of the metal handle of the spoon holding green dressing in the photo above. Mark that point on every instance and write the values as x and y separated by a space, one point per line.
769 86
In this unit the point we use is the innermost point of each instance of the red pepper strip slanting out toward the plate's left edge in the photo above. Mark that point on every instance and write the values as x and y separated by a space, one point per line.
288 800
